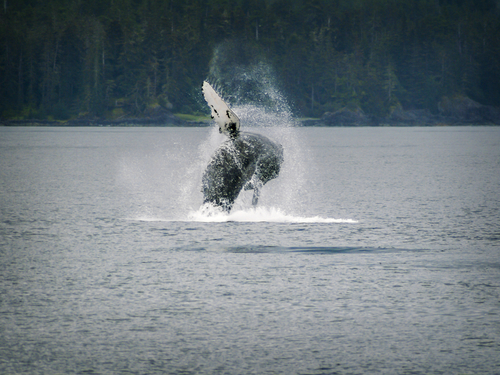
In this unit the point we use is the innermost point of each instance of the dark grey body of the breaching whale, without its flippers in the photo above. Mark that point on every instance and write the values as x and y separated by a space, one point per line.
235 162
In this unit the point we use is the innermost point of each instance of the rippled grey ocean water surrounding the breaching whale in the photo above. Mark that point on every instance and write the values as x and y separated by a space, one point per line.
375 251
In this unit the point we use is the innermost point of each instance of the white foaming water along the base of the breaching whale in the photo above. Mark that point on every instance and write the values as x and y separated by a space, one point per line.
260 214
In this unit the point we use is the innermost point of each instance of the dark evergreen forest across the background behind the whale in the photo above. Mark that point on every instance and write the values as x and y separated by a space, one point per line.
69 59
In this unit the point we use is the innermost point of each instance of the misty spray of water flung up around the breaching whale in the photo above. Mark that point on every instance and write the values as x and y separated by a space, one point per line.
247 83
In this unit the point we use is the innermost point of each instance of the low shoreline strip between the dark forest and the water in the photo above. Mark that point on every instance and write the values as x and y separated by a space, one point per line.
456 111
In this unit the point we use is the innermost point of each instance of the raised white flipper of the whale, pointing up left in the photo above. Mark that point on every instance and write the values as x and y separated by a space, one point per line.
227 120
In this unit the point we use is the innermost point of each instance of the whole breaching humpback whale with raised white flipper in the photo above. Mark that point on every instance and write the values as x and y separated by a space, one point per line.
245 161
